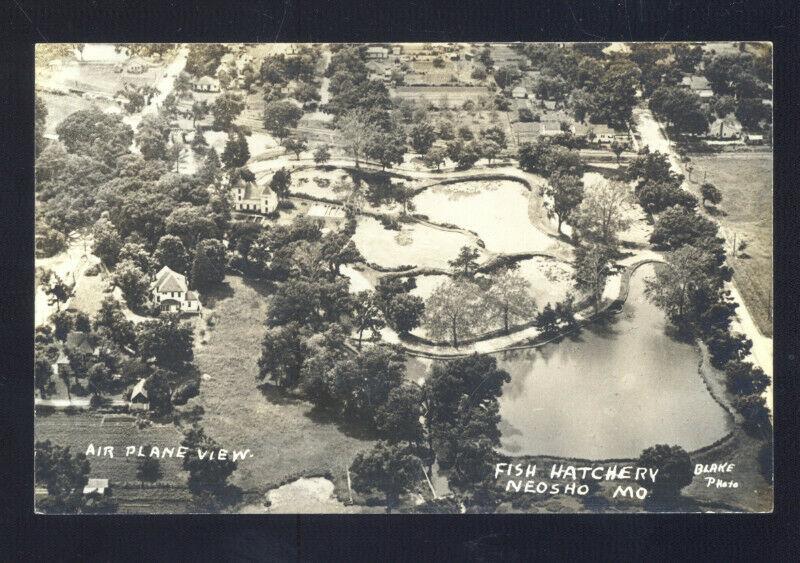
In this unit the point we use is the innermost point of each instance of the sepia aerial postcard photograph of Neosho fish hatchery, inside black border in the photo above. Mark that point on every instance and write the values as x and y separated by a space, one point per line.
403 278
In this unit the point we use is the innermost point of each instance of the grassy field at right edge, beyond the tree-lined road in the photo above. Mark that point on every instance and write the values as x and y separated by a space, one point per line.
745 180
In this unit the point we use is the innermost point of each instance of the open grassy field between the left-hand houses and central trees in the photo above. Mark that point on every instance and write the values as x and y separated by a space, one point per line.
286 438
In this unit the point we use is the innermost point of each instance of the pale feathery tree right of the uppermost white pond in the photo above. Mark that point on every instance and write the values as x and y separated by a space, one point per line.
603 213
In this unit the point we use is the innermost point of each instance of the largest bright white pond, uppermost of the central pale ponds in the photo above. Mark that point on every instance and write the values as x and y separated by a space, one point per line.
497 210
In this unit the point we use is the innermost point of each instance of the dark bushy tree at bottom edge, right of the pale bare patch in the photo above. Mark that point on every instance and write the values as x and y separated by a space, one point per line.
391 469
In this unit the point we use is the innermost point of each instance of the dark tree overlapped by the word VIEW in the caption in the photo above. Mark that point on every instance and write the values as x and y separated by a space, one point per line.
208 475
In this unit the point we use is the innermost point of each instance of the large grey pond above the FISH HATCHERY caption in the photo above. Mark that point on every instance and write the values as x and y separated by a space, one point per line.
610 392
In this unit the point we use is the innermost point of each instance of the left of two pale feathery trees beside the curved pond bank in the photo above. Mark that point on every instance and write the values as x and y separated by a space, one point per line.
454 311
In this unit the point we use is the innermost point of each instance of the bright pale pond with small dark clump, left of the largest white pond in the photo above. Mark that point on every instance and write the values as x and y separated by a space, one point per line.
414 244
